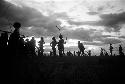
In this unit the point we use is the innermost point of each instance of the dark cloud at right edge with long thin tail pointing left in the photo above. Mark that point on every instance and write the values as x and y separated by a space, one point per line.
107 20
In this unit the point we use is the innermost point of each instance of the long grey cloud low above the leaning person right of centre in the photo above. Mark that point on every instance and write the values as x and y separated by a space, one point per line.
91 37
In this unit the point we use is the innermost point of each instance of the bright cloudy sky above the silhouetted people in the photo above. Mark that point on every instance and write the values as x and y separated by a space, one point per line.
96 23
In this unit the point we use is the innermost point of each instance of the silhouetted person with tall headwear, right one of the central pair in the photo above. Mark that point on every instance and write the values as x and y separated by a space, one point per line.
61 45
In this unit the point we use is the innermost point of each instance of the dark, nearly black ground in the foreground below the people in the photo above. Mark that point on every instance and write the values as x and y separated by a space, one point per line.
69 70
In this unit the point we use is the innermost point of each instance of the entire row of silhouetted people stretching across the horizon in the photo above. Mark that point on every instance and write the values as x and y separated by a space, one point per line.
17 45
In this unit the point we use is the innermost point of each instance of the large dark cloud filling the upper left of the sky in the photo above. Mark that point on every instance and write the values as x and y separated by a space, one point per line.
27 17
